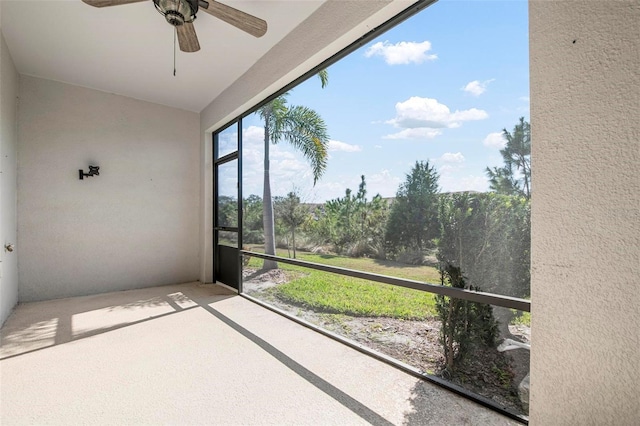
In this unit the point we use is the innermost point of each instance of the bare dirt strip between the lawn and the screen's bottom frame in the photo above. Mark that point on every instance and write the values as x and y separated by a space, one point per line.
488 372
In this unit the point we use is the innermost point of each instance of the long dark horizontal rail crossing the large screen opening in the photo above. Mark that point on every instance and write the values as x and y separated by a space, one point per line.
472 296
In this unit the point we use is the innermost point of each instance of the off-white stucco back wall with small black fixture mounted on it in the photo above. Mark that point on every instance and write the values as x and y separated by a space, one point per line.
136 224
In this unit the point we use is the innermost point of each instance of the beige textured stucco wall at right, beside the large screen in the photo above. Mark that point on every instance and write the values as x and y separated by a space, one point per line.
585 110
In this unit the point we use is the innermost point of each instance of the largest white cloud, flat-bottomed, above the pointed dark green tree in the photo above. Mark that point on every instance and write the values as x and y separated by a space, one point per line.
422 117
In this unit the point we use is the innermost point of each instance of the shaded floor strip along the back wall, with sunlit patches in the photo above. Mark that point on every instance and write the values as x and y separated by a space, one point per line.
40 325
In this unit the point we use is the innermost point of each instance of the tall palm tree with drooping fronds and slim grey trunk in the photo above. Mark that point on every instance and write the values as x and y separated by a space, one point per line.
306 131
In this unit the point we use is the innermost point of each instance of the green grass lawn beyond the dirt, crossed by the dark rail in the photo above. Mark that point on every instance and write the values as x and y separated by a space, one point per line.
332 293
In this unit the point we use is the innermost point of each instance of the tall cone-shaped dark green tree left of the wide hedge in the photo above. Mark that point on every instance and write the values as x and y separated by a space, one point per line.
413 220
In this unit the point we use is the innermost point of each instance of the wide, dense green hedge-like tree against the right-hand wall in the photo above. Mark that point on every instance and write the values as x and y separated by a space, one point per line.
488 237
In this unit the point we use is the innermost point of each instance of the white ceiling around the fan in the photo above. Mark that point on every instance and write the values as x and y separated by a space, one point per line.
129 49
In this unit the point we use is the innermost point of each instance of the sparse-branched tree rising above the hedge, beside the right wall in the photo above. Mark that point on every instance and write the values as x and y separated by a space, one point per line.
517 160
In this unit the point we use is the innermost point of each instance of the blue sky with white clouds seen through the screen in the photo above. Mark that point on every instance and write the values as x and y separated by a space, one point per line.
439 87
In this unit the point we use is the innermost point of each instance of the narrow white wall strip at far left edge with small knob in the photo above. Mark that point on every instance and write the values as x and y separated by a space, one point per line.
8 163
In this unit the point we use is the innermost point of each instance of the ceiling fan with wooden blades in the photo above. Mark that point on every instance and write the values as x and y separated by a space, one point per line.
182 13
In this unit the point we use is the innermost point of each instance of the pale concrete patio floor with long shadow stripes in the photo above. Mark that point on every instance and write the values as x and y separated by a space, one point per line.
198 354
